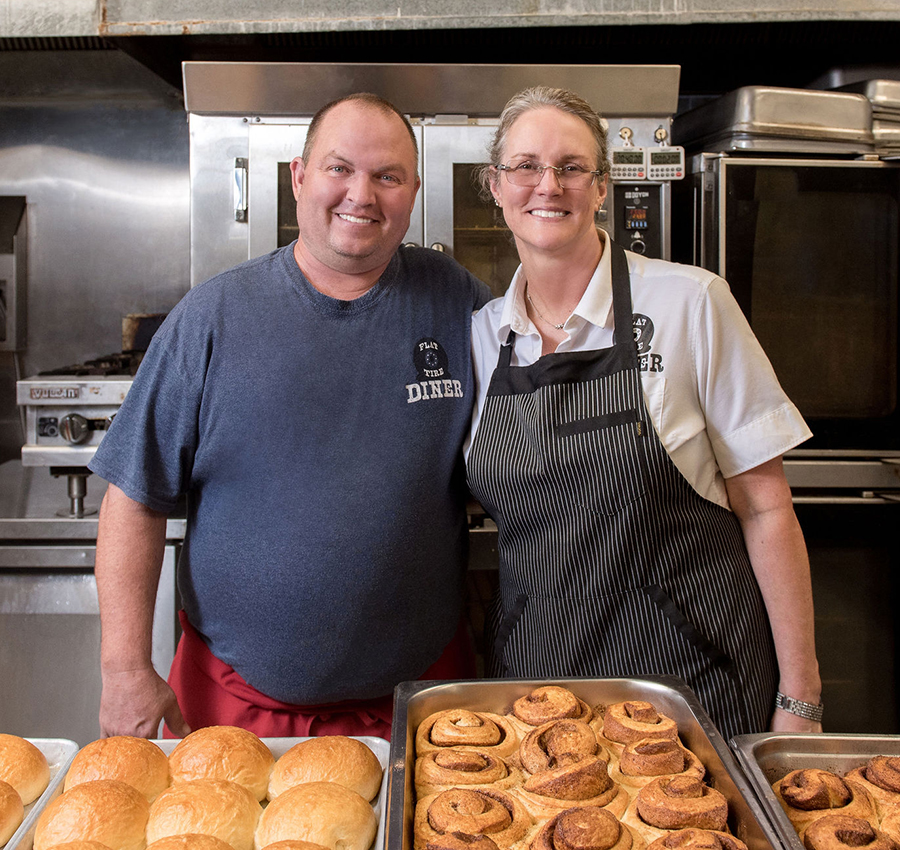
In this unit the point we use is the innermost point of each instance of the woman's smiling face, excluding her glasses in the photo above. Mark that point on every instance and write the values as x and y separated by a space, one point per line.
547 218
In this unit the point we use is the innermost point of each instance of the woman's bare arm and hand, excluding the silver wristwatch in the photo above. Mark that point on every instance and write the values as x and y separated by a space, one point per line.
761 500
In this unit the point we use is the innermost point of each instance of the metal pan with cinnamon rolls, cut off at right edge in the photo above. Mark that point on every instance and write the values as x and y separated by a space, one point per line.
826 791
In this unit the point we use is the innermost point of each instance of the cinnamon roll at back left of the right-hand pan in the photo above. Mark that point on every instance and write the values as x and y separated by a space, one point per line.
809 794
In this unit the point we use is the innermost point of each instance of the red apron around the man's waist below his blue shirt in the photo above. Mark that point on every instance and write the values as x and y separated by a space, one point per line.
210 693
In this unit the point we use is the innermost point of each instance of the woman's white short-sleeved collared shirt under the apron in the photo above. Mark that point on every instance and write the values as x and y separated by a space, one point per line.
710 390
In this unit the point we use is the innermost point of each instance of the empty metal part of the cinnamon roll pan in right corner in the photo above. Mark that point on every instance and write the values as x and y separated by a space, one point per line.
767 757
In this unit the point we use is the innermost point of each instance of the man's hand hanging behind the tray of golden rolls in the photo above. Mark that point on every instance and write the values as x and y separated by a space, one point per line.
134 701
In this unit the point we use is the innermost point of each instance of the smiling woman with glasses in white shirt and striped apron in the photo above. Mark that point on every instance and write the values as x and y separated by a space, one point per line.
627 440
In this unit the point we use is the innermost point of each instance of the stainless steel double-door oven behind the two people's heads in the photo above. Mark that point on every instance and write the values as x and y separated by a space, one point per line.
248 120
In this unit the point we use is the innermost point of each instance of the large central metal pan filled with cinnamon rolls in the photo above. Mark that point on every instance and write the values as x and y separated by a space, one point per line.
565 764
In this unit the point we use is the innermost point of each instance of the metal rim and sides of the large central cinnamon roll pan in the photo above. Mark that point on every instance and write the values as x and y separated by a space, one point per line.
414 701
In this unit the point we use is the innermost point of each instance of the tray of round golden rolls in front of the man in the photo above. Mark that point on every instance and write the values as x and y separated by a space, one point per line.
219 788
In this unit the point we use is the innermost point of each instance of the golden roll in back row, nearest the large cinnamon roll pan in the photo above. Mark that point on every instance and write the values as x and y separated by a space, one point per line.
330 758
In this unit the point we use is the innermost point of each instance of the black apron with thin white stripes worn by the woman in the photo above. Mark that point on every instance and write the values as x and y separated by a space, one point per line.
611 564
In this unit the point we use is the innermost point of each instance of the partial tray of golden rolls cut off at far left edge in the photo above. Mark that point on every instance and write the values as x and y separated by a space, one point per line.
31 769
